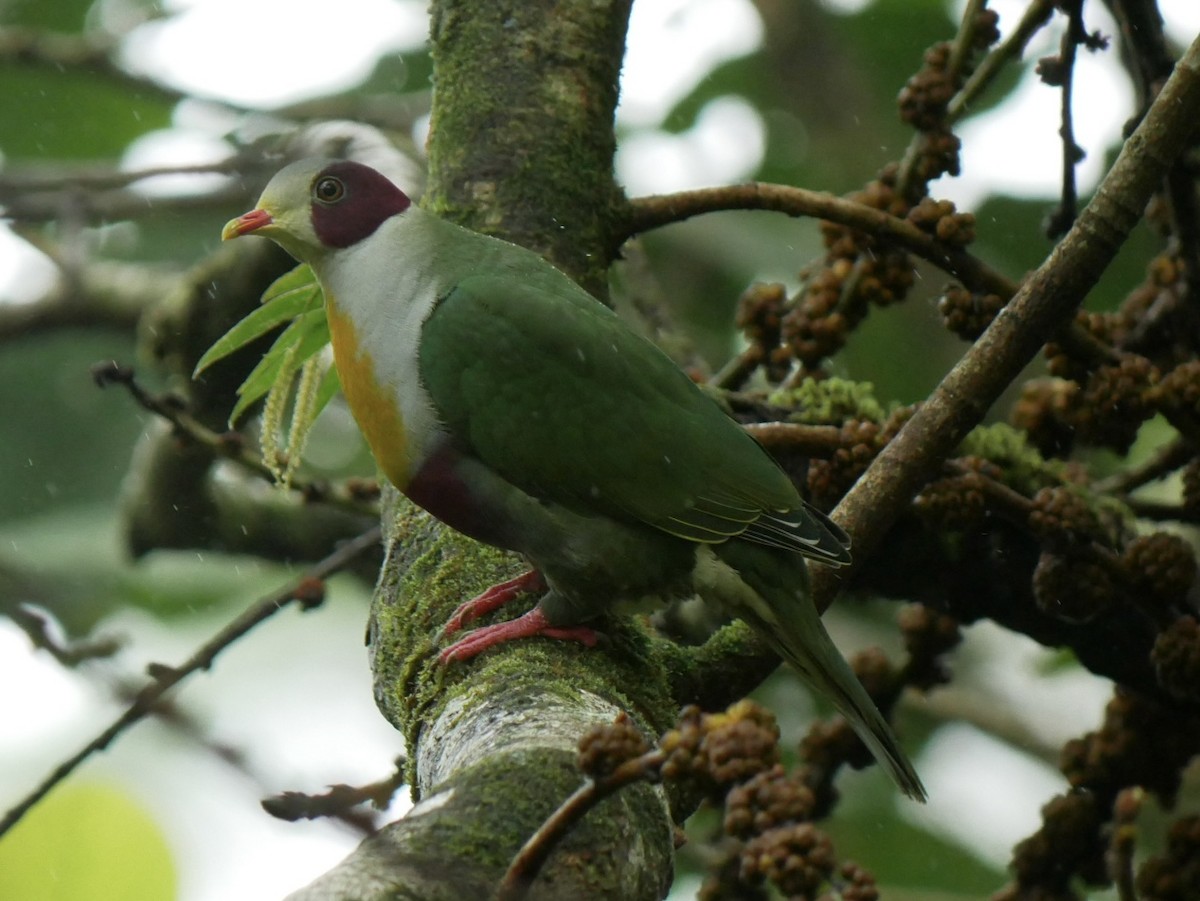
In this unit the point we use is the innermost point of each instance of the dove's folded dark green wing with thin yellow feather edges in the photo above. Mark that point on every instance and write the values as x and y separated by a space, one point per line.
555 393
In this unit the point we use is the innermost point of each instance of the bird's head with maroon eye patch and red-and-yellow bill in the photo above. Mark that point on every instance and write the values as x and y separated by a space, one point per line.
314 207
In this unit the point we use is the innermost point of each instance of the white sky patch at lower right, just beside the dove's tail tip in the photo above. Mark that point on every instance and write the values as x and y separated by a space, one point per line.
974 779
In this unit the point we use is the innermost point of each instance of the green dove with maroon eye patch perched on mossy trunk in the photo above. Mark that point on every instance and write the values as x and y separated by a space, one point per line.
513 406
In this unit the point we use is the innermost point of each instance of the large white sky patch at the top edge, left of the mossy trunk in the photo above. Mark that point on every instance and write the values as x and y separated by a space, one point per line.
269 53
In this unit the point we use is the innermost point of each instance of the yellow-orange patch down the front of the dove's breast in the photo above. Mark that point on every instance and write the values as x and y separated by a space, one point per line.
374 406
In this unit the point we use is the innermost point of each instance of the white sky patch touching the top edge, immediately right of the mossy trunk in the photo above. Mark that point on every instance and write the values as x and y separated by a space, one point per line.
674 45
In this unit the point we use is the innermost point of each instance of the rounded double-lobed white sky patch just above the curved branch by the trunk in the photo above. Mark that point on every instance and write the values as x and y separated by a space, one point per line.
725 146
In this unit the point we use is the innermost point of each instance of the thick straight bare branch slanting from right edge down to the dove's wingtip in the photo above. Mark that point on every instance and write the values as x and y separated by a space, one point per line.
1046 303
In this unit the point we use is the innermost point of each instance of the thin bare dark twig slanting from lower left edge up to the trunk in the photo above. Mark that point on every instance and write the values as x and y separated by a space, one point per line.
308 591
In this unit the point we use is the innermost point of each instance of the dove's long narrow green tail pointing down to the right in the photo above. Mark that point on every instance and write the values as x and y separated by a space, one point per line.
775 599
